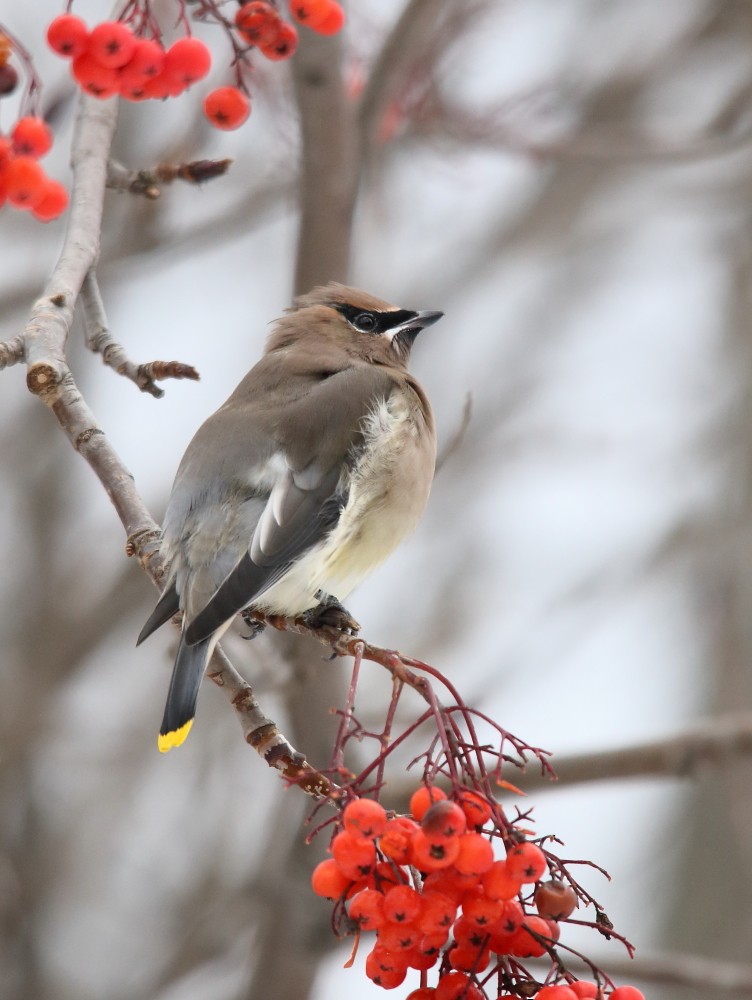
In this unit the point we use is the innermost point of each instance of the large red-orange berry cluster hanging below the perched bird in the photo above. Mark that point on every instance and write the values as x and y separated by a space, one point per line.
465 908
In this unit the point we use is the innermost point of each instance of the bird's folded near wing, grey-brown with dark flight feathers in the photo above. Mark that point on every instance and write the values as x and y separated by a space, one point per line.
308 495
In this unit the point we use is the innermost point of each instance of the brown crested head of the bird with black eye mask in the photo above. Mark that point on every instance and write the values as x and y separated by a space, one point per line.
348 319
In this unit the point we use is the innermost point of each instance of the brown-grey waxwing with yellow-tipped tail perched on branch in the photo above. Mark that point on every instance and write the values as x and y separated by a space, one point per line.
310 474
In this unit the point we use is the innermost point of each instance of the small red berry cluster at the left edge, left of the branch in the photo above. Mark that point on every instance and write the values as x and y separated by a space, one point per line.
23 181
